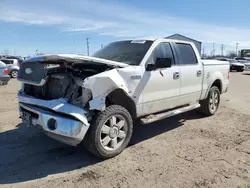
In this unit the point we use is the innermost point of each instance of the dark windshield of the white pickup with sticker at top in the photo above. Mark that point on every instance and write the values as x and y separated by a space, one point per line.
129 52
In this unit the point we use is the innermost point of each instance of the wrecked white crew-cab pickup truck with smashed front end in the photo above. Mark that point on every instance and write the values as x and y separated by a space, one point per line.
95 100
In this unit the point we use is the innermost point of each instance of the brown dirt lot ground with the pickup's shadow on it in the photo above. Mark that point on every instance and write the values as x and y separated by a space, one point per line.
183 151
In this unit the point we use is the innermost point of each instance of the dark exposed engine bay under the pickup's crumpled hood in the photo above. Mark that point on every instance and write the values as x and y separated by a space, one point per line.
65 81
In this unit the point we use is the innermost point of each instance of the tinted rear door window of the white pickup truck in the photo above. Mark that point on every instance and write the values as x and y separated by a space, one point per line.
186 54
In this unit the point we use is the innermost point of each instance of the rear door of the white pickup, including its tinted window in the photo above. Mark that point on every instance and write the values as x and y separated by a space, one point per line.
191 71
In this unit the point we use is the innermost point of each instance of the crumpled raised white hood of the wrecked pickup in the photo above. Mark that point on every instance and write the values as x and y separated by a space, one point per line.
73 59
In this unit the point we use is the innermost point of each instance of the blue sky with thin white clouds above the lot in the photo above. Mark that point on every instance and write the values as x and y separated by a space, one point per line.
62 26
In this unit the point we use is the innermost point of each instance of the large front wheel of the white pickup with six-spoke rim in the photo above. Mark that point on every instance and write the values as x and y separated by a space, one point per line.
110 132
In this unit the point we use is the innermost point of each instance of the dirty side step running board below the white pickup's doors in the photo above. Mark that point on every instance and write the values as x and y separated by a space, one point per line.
156 117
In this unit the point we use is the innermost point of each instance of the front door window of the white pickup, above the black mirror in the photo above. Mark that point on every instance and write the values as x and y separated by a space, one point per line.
163 50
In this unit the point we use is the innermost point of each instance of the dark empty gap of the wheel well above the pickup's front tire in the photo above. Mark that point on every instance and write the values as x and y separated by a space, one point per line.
119 97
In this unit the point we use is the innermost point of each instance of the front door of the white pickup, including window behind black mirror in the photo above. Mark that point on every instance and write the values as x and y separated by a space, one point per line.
161 86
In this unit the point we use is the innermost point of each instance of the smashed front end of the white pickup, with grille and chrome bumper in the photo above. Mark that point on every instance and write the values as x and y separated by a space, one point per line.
53 95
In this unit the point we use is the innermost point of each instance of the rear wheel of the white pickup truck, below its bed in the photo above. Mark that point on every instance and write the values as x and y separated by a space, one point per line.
210 105
